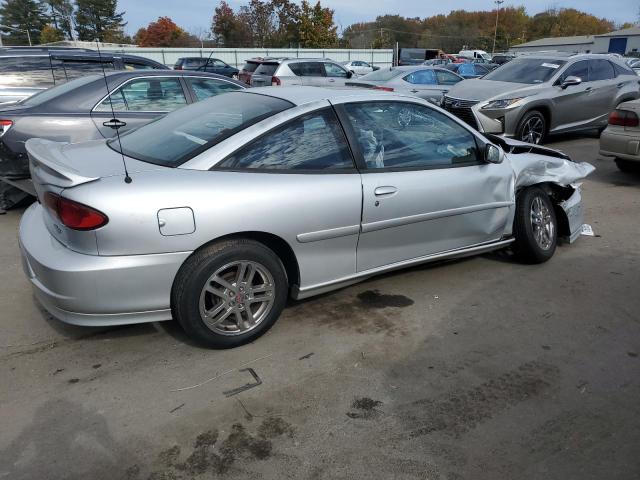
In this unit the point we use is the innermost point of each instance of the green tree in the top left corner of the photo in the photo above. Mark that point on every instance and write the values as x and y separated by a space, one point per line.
23 15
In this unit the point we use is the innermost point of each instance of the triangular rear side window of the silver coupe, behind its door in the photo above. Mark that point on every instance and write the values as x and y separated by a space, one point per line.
312 142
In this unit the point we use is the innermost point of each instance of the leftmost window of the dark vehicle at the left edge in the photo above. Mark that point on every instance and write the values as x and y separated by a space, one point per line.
25 72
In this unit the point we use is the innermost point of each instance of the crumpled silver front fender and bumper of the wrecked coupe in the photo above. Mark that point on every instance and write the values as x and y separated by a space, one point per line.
556 173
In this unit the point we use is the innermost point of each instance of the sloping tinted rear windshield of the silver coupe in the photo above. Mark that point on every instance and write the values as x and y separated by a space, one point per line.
185 133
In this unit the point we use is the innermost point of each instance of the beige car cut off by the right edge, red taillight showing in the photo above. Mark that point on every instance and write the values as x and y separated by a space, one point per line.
621 138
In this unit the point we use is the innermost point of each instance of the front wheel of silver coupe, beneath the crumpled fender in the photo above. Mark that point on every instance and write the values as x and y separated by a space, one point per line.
535 226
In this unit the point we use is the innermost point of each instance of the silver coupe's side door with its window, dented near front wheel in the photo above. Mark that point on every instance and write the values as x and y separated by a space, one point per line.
426 187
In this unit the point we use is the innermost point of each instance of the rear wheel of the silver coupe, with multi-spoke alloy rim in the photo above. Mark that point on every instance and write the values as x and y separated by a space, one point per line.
229 293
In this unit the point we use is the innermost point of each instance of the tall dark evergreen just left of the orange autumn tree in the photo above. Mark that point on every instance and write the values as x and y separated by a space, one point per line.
99 19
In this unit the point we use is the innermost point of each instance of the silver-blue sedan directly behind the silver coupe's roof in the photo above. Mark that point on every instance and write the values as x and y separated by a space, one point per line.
425 82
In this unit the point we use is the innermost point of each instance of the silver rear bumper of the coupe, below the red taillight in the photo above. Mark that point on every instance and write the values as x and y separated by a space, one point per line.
93 290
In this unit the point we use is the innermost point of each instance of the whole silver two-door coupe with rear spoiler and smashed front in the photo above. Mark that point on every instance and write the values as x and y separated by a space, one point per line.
216 213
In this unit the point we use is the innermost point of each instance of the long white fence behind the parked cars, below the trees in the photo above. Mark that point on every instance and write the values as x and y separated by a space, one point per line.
237 56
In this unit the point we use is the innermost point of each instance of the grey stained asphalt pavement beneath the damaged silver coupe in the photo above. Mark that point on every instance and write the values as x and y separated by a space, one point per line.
480 368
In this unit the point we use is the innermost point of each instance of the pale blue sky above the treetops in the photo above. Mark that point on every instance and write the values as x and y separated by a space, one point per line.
195 15
